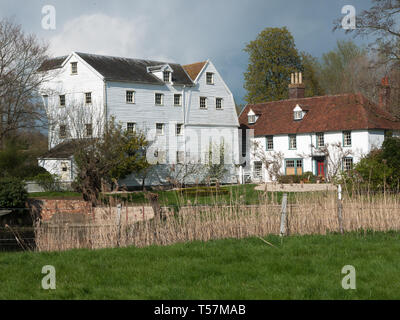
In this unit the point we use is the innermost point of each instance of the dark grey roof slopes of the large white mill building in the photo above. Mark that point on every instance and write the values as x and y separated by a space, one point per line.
124 69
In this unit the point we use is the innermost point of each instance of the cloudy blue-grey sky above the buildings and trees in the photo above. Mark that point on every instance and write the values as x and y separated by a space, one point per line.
182 31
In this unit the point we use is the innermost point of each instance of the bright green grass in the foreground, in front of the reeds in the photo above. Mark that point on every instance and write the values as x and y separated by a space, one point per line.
302 267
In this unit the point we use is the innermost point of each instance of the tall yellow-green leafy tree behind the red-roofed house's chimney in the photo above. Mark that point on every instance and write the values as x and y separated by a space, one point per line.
272 58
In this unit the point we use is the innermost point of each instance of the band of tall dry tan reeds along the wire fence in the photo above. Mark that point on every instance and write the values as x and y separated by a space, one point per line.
311 214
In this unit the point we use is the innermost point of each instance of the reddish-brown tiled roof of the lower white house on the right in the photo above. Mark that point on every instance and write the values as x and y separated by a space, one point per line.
324 113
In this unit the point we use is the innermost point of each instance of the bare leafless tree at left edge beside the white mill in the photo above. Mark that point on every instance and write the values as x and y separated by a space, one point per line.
21 55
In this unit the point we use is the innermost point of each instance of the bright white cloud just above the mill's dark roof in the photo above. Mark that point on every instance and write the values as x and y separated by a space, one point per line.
103 34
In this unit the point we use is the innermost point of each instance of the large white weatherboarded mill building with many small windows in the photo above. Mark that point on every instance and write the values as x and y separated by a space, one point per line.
181 109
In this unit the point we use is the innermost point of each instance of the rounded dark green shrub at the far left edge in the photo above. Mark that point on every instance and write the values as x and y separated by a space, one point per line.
12 193
